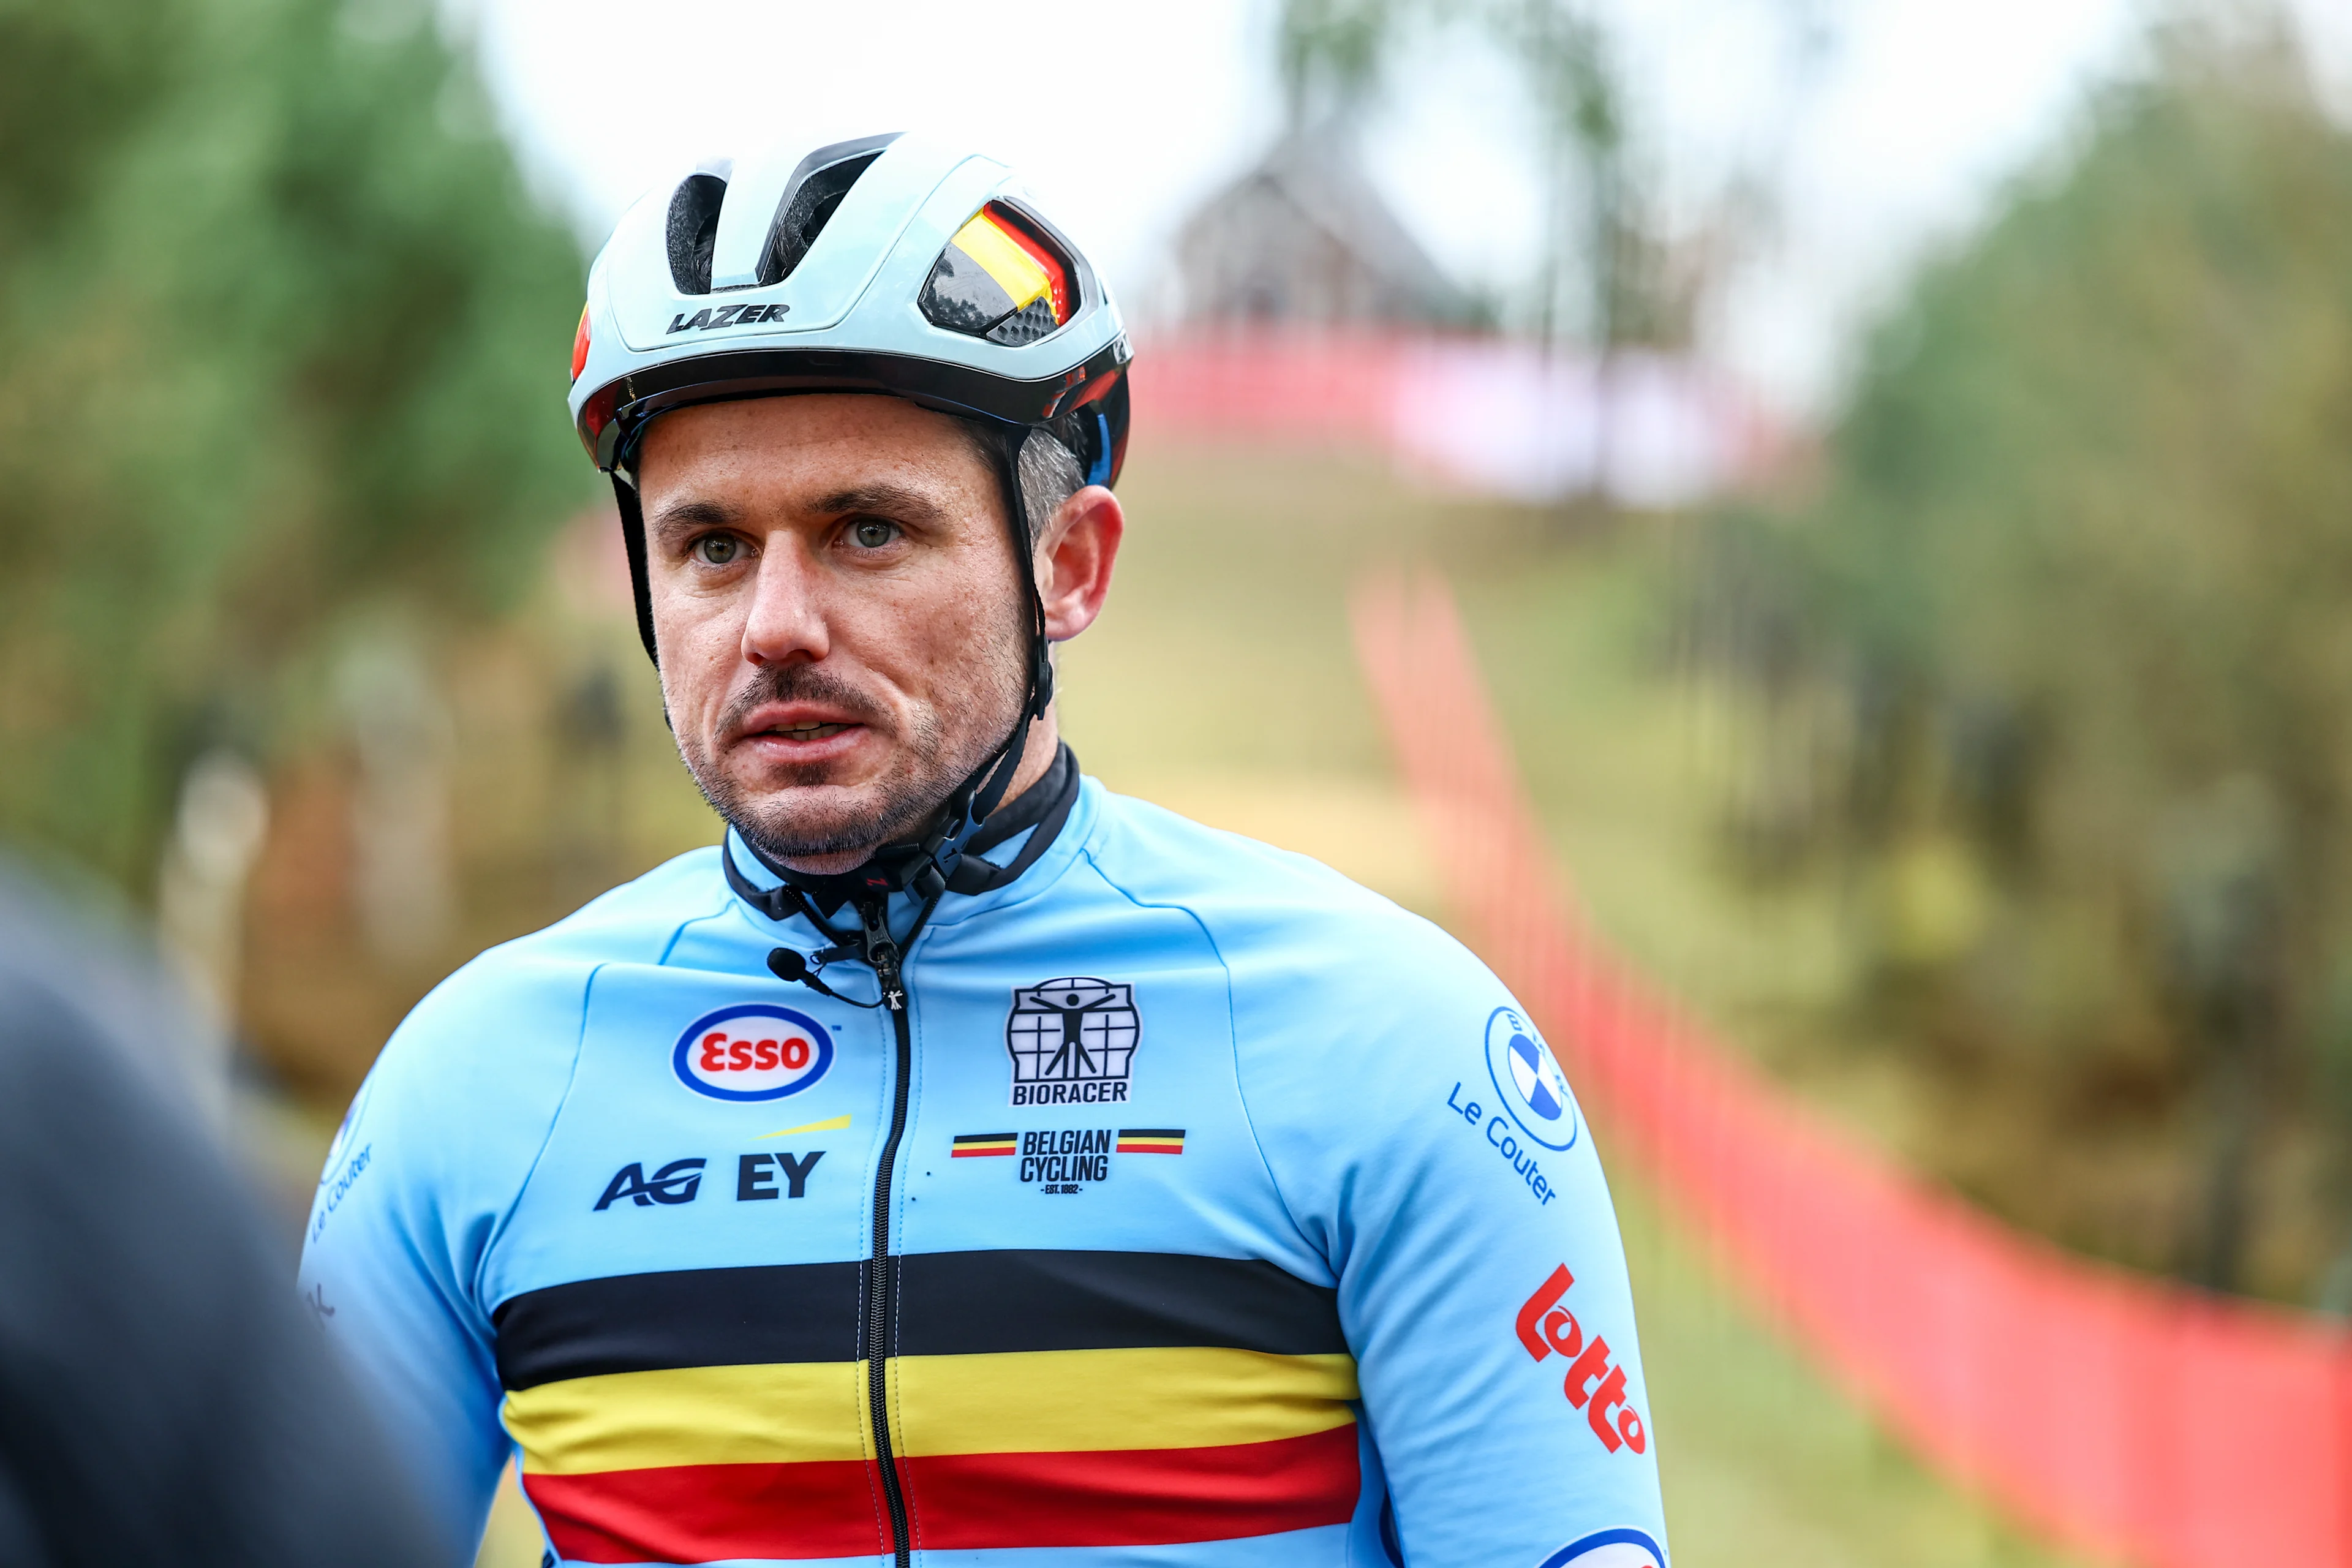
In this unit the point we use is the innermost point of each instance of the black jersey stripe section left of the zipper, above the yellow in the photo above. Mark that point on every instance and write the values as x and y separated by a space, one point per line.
679 1318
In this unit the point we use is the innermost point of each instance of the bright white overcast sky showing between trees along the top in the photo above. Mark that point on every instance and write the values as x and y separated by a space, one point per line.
1883 138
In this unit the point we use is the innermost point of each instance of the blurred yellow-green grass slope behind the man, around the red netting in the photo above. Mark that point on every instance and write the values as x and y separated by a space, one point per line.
1222 685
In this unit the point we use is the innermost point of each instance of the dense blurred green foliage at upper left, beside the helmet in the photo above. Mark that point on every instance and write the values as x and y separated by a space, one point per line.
281 333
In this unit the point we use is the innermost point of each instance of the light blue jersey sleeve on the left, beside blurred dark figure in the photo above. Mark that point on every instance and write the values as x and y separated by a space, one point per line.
417 1188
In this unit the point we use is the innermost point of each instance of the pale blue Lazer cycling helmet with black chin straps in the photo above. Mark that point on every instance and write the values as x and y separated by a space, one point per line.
888 264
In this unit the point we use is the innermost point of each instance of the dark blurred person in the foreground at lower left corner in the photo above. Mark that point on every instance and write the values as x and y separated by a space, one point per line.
163 1395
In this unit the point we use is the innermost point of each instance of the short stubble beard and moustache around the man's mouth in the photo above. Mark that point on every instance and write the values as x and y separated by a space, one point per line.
935 753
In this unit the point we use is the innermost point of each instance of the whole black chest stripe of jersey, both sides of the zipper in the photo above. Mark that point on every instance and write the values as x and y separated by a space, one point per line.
949 1306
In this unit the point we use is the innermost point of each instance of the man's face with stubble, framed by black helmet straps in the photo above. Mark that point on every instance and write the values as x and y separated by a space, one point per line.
838 617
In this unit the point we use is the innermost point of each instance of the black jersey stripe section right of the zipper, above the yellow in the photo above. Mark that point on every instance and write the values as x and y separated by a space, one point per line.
982 1304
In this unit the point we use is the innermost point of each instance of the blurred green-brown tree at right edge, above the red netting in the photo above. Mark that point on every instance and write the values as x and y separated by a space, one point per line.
2085 563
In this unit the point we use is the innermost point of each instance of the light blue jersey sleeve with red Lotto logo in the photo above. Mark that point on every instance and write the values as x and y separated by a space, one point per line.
1429 1146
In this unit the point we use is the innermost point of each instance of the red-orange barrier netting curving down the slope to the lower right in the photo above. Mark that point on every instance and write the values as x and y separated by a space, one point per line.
2116 1414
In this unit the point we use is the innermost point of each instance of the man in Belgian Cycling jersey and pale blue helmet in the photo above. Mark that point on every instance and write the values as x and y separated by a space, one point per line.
961 1162
